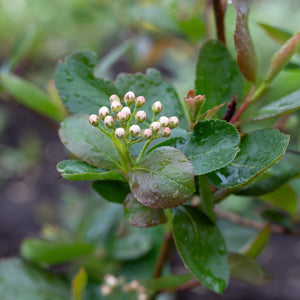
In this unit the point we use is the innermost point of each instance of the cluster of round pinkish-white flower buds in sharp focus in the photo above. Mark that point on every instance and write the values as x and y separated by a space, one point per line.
119 118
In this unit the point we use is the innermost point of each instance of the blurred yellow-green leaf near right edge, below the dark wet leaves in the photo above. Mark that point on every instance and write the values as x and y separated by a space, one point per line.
284 197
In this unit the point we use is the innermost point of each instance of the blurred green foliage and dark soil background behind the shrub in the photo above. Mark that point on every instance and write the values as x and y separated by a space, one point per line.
129 36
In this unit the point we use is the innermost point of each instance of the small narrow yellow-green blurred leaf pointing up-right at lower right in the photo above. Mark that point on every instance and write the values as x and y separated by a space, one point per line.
254 247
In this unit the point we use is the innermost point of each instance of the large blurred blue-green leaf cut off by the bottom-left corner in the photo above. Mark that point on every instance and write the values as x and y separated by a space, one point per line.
20 280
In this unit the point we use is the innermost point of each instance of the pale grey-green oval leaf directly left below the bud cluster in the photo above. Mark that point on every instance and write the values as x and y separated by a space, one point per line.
88 142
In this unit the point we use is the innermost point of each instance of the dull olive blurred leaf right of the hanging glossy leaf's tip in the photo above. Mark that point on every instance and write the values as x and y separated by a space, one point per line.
247 269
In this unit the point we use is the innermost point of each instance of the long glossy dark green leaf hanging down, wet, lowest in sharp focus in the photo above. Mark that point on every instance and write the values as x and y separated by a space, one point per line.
201 247
